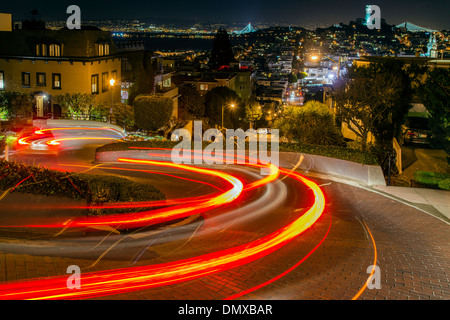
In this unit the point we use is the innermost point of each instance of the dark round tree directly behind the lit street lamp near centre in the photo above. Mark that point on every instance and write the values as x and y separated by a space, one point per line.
220 97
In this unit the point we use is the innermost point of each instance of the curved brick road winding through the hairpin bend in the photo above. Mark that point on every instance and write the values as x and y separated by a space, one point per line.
333 259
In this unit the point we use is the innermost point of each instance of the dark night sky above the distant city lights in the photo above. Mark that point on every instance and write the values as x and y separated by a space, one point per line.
433 13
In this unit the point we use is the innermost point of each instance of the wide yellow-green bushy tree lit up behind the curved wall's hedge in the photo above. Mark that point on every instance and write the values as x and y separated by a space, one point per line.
311 124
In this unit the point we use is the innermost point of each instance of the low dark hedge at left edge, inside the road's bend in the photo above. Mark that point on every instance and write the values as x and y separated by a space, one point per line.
96 189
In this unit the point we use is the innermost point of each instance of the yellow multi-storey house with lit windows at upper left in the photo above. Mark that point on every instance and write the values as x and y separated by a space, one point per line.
47 63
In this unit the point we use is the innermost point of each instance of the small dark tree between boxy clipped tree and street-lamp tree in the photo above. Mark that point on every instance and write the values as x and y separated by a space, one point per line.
191 102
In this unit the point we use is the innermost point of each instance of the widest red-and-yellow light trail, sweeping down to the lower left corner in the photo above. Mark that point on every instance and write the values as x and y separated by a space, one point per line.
138 278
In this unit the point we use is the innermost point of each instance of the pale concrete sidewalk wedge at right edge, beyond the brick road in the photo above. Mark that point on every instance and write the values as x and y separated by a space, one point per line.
435 202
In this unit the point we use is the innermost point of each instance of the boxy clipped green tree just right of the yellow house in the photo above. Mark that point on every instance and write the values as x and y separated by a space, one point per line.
152 112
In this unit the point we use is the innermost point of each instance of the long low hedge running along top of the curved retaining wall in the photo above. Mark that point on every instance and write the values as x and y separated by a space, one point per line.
327 151
